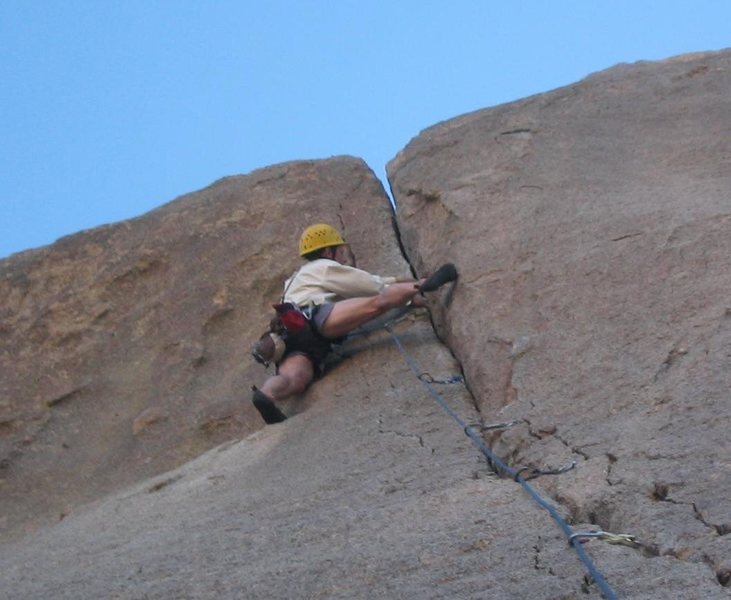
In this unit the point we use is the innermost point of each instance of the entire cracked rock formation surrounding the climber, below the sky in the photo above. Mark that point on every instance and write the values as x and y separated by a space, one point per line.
591 228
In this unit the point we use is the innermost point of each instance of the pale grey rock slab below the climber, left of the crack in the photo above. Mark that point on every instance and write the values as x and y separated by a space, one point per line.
369 493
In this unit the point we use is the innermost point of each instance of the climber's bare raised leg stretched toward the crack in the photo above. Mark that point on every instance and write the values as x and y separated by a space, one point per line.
350 314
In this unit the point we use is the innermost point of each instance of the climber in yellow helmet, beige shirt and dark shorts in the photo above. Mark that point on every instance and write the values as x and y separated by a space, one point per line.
336 297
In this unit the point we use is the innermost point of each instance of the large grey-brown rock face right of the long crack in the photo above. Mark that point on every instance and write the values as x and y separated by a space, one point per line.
592 226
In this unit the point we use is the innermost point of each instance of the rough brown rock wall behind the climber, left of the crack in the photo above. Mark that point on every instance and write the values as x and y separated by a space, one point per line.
125 349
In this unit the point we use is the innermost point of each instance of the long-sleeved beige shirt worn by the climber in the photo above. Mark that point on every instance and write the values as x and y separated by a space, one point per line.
324 280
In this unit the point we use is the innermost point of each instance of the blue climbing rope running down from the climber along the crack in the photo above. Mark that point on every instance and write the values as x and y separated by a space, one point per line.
495 460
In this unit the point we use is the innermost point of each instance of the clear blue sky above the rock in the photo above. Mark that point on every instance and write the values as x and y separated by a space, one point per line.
110 108
